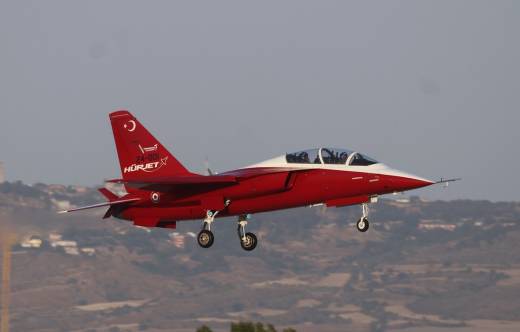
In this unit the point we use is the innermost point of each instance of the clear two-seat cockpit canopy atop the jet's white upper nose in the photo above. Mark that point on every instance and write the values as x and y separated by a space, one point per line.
329 156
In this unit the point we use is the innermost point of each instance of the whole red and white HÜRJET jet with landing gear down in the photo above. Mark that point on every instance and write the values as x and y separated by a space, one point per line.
161 191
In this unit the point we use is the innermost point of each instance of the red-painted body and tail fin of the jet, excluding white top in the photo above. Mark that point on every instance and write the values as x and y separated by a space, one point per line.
149 170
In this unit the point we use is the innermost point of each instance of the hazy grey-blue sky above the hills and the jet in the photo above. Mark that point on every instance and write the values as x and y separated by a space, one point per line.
430 87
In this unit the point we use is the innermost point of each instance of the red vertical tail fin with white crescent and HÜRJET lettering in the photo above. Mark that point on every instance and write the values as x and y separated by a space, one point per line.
141 156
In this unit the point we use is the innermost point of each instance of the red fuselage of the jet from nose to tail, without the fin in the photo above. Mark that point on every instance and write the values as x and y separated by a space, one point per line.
268 189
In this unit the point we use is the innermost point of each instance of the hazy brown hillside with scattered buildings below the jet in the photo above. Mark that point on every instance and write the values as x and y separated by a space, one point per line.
422 266
